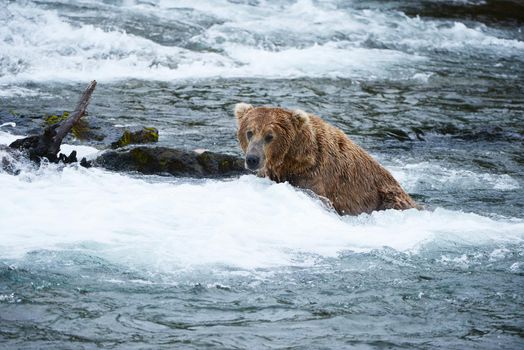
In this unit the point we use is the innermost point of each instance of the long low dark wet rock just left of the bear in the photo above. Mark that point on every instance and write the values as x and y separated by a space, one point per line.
163 160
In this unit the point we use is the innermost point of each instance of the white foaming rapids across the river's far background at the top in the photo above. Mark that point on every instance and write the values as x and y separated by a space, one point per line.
301 39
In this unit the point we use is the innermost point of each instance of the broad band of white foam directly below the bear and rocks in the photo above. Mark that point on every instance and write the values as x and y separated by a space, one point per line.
247 222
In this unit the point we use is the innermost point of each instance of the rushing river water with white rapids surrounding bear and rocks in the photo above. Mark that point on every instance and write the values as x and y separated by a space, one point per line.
96 259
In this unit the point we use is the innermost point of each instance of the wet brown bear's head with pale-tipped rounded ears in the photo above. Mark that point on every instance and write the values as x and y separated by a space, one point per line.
276 141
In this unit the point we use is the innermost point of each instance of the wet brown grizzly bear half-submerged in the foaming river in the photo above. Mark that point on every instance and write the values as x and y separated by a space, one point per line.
302 149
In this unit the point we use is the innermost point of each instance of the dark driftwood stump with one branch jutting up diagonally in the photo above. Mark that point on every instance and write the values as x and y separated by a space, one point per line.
48 144
